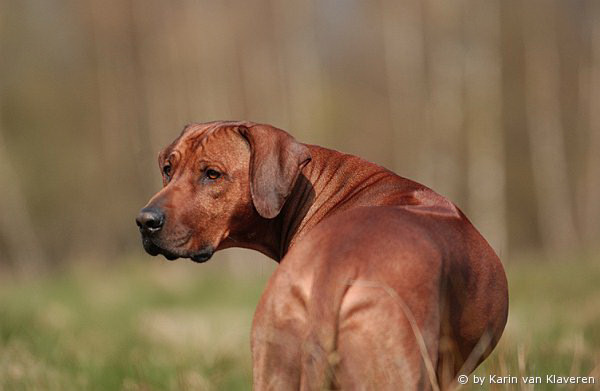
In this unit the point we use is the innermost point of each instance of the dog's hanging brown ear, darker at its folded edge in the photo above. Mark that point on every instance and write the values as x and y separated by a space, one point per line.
275 162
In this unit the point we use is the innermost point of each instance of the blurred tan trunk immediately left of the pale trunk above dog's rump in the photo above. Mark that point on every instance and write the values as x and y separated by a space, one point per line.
445 104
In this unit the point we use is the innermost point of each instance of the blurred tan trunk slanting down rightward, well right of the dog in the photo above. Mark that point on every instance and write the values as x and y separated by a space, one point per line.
542 76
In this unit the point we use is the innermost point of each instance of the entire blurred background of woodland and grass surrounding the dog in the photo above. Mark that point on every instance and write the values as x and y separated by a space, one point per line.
494 104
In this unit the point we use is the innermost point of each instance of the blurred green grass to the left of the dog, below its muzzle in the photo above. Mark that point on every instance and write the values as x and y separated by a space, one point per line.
139 325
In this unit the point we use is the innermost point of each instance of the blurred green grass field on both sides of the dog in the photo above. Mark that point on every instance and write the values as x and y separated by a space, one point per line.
146 324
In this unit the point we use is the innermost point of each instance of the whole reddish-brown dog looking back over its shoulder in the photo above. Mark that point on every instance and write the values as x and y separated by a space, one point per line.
383 284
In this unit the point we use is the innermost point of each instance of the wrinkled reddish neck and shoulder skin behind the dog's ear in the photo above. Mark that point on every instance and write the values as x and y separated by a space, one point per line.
330 183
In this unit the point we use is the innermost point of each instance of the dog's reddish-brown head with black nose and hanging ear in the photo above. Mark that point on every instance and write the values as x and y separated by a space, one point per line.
218 178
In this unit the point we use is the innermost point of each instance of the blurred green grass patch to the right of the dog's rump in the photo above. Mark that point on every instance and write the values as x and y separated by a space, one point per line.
553 326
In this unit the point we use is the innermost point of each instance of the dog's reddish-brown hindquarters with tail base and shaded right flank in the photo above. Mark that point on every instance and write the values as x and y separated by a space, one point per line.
362 299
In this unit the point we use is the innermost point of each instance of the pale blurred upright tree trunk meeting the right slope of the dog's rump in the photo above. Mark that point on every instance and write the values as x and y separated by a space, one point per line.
485 144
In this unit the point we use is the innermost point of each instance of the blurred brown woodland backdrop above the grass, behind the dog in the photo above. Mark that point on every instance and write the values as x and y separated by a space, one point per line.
491 103
